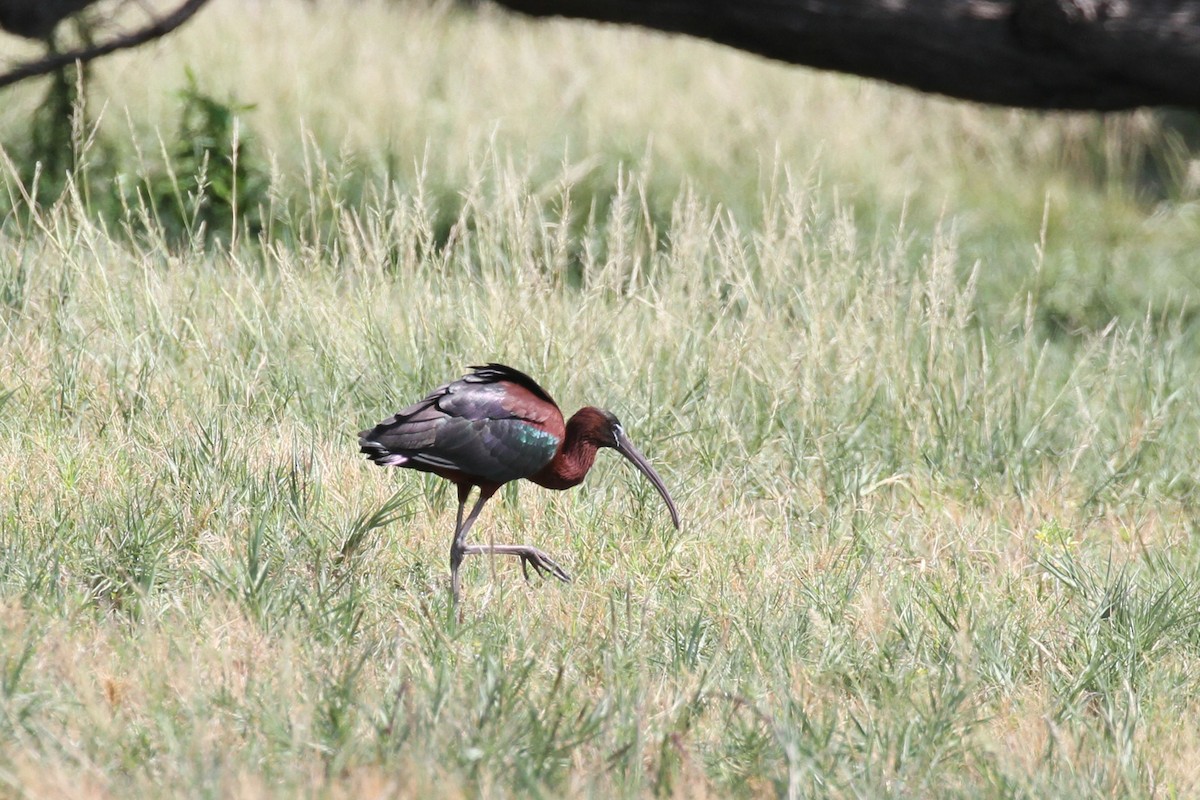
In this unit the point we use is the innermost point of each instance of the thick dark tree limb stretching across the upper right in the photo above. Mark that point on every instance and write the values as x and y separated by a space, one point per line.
1051 55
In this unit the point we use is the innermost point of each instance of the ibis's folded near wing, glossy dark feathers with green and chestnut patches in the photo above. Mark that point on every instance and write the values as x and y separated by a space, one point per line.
472 428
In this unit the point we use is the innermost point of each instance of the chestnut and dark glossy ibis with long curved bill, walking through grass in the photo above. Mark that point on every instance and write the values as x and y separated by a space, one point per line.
494 426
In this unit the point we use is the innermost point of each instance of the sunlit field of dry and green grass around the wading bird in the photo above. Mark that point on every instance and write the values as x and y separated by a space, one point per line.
921 377
